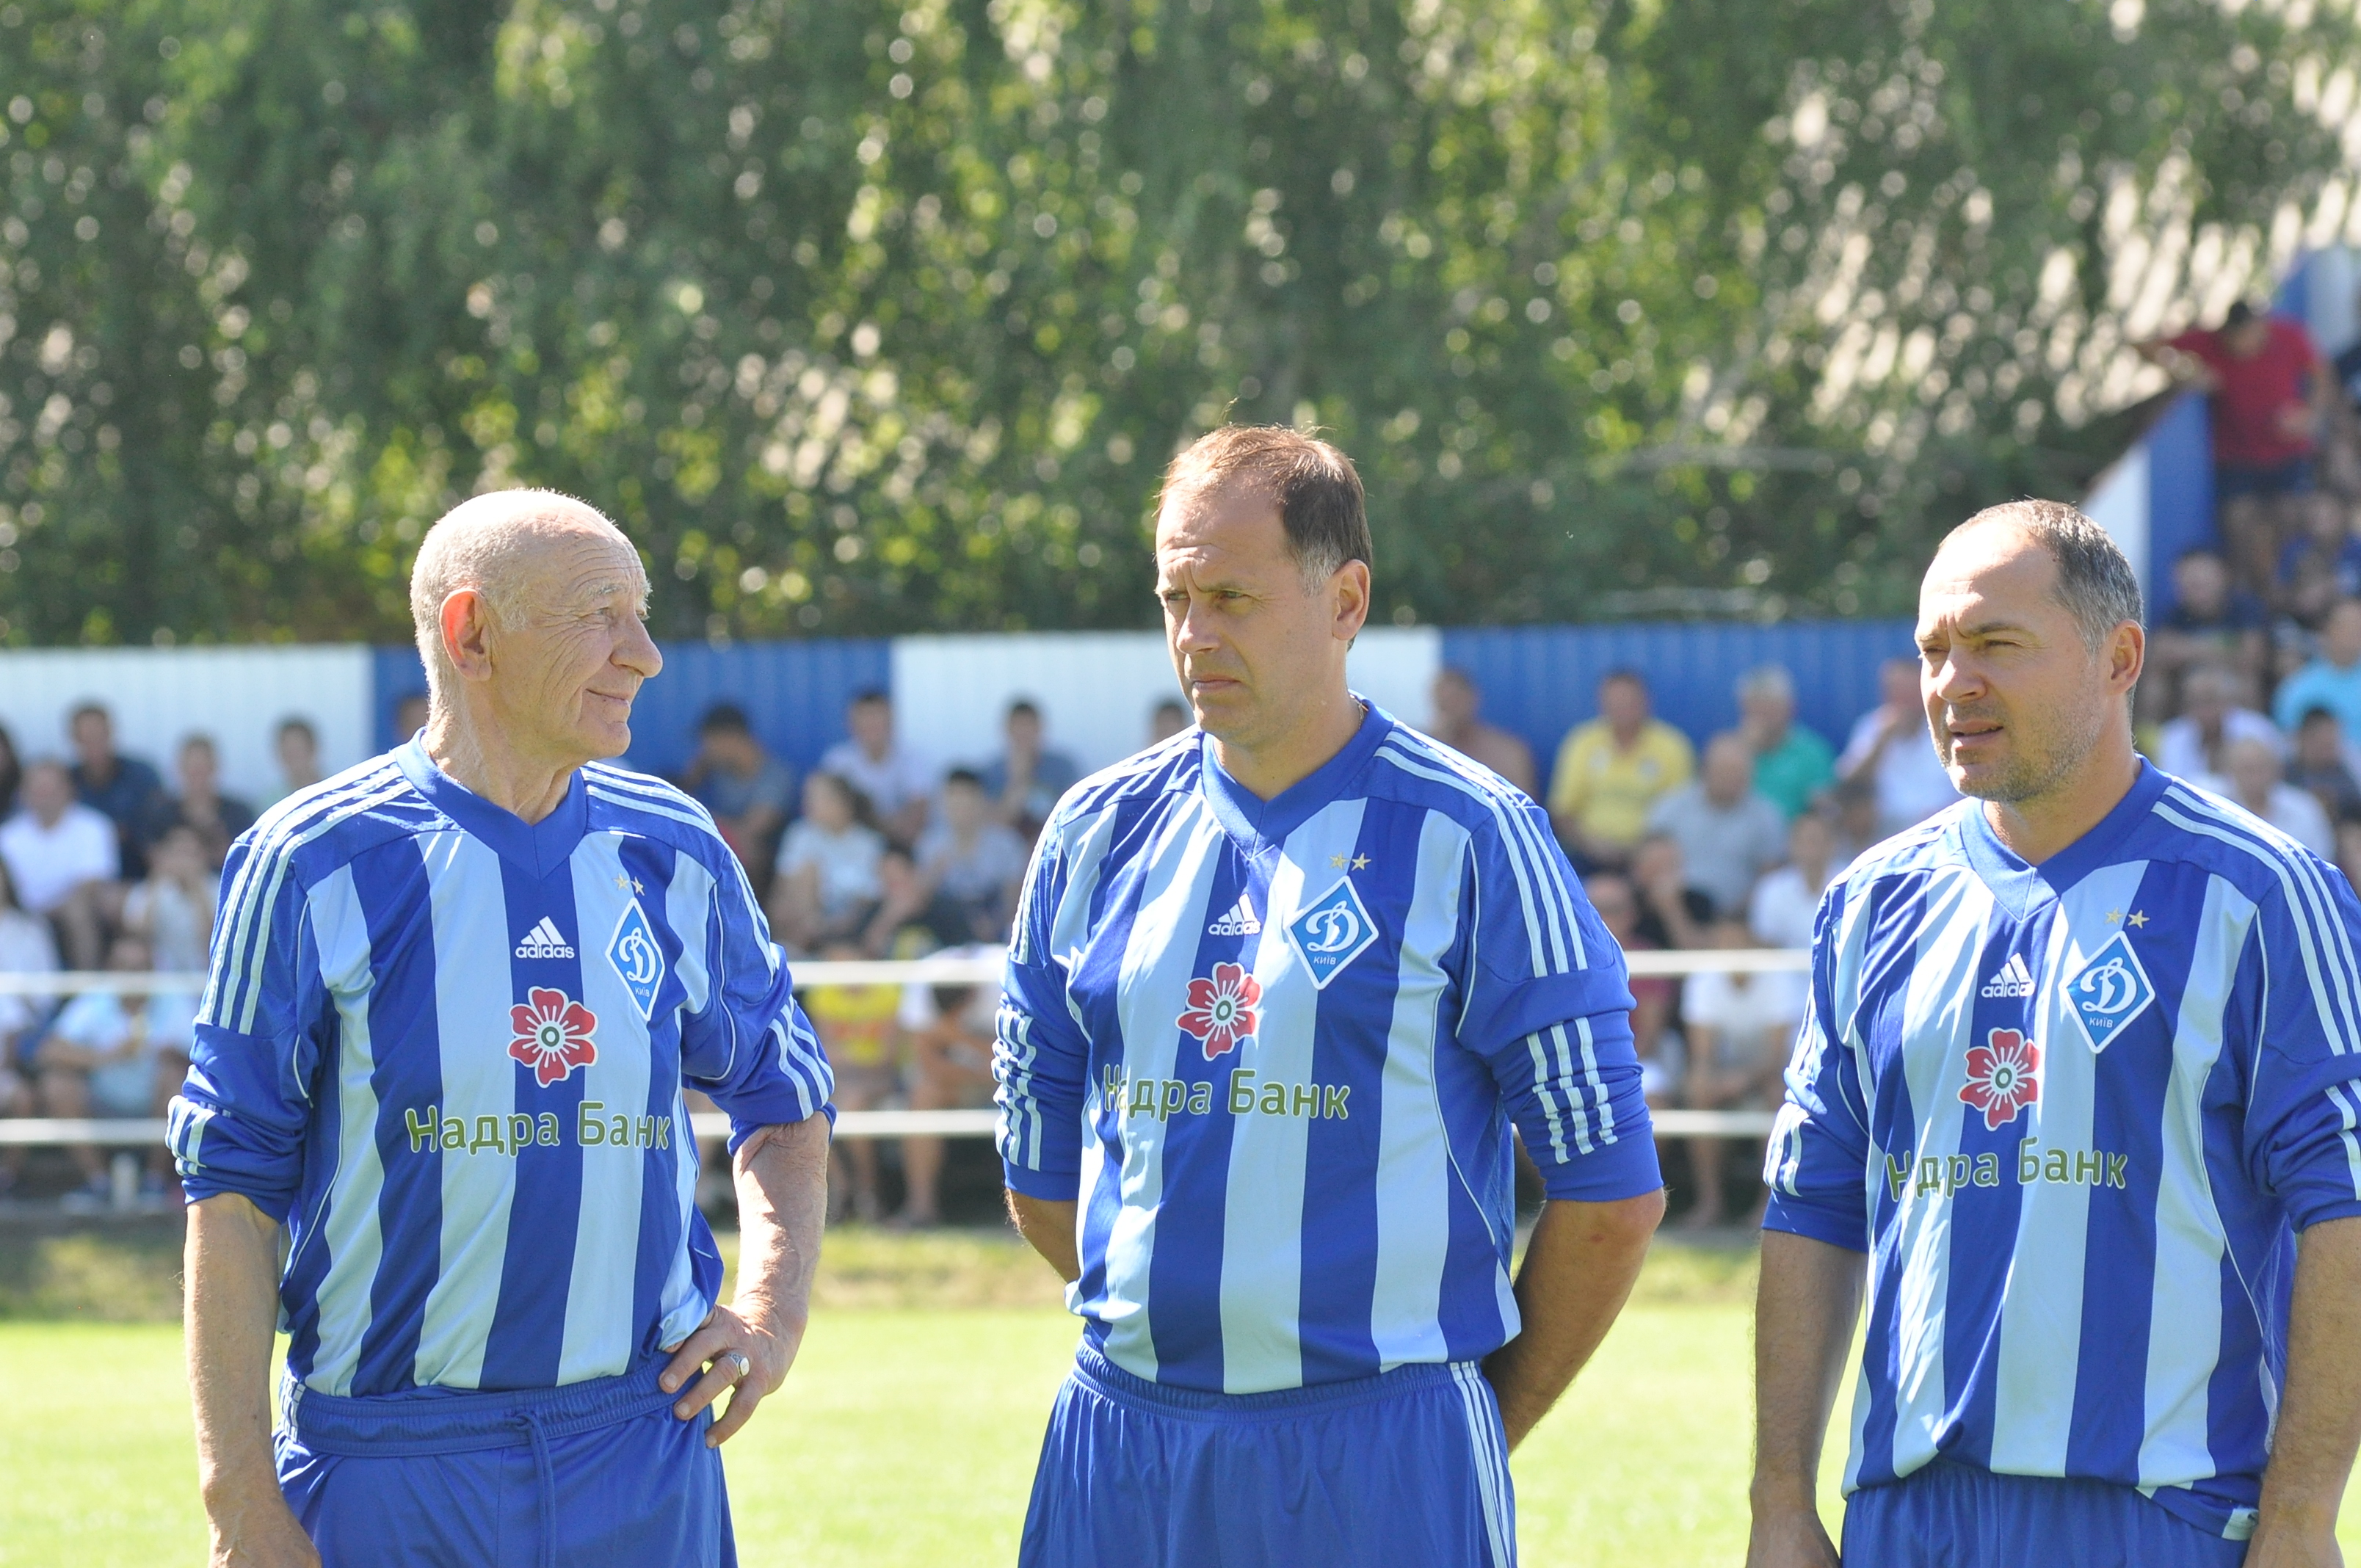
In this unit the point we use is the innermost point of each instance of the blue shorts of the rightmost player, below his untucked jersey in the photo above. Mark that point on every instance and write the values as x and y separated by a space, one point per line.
1966 1517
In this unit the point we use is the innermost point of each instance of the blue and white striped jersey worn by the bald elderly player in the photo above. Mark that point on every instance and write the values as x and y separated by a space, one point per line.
450 1052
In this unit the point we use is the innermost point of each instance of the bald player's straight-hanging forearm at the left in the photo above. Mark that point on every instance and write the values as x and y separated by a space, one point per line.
233 1307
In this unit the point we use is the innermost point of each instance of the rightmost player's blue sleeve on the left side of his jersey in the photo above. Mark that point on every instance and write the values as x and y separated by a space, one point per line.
1819 1156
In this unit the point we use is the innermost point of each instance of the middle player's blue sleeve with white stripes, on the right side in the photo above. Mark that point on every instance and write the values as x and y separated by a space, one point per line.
1548 1007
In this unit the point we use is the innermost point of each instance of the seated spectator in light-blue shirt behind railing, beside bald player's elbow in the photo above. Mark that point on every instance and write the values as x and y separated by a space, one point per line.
115 1057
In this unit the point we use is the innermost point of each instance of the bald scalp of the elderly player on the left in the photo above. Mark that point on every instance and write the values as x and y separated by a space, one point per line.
495 544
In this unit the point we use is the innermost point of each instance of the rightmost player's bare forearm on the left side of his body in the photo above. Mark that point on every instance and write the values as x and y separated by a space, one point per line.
1805 1309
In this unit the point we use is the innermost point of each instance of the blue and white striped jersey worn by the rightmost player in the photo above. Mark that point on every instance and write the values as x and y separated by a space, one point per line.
2076 1113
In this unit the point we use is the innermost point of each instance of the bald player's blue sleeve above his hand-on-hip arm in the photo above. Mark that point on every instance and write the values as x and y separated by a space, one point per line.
752 1047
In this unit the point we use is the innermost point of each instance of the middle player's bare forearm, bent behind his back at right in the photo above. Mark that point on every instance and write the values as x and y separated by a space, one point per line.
1576 1279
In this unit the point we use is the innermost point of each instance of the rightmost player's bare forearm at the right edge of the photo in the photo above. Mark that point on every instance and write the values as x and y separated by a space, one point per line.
2320 1420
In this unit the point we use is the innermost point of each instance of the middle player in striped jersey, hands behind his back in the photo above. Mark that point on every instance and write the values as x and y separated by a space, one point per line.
1278 993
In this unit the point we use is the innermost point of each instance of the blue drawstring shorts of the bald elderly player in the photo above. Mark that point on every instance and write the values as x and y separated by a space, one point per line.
599 1472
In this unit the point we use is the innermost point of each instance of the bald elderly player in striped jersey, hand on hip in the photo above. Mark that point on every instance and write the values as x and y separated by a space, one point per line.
440 1071
